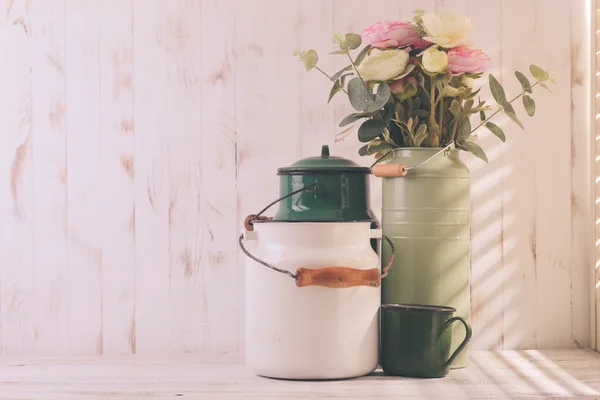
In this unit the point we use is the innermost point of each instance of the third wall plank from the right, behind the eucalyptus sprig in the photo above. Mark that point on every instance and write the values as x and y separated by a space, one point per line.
520 237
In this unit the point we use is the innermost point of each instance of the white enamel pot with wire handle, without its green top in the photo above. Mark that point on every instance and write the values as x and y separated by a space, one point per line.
312 299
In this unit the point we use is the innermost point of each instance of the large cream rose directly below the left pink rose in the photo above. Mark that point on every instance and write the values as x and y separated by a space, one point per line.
383 65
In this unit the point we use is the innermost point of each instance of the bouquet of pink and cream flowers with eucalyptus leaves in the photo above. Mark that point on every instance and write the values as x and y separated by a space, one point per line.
412 85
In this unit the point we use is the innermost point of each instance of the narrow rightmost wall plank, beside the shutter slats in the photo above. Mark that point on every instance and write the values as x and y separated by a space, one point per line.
582 215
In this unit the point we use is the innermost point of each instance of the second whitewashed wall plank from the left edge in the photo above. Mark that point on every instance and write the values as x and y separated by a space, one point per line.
50 281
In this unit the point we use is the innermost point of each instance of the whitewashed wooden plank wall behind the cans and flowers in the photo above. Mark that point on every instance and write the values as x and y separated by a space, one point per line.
136 135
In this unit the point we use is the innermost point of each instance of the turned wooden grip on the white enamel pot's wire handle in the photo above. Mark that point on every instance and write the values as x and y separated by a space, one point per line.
338 277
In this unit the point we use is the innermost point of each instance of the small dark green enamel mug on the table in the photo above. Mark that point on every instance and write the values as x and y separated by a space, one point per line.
416 340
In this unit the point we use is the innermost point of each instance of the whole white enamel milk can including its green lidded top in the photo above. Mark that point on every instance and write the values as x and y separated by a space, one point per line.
312 289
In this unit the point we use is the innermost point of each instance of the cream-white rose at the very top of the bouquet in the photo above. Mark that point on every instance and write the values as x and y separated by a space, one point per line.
446 30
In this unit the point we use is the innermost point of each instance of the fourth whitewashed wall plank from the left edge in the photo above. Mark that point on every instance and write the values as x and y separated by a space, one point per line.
117 188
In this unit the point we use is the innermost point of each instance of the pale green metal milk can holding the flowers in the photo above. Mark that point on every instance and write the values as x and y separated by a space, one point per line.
426 214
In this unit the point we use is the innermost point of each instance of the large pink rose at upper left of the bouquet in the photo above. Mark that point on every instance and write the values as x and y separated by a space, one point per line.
385 34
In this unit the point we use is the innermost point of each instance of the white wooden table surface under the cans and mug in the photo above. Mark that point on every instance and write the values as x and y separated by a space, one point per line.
491 375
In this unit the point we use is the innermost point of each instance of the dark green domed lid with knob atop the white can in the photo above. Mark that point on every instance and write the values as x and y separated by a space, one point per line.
323 164
